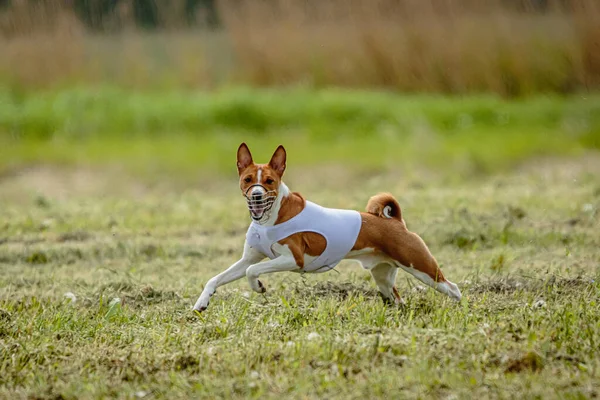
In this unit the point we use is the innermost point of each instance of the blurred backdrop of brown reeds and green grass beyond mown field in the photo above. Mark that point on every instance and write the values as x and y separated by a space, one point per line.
158 86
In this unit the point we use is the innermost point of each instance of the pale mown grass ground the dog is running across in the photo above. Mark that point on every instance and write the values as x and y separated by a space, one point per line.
522 245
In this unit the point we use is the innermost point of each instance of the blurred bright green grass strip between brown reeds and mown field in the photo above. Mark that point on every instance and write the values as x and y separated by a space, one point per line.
193 131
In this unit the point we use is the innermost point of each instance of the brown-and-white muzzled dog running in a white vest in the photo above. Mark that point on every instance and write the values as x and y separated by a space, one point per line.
300 236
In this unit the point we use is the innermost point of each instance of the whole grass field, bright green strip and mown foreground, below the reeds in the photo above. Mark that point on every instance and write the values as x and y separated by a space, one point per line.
101 262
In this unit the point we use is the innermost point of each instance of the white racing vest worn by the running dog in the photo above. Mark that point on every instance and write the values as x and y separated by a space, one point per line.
340 229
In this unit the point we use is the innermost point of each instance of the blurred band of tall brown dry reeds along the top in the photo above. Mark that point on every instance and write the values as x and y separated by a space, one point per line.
454 46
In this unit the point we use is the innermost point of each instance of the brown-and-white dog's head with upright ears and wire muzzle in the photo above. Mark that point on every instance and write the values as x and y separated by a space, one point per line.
260 183
